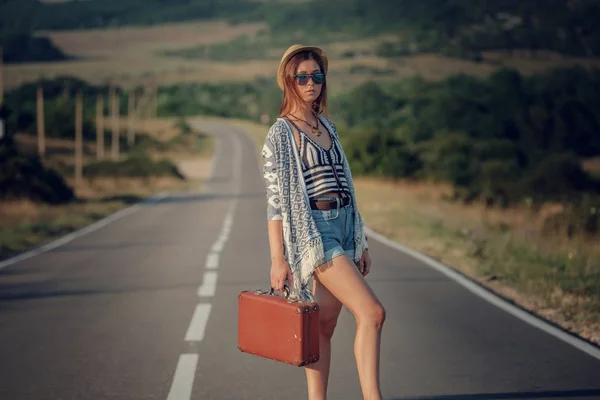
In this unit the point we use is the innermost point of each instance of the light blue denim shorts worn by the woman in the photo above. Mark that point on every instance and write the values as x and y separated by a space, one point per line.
337 230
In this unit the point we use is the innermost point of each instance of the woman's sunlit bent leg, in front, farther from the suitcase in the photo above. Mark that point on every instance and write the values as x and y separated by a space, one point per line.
343 280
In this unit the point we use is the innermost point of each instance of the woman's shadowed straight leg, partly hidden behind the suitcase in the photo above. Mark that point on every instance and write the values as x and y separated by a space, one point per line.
317 374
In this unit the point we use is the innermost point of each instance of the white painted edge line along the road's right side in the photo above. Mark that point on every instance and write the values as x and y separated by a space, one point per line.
496 300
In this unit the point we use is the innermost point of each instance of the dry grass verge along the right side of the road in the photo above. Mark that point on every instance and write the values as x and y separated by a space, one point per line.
502 249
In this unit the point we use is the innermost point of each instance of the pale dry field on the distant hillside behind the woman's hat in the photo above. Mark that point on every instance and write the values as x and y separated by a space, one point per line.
132 55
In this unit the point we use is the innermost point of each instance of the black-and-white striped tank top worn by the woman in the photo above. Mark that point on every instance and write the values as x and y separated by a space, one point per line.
323 170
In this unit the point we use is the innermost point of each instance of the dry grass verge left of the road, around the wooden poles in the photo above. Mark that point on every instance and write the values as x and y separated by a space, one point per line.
25 224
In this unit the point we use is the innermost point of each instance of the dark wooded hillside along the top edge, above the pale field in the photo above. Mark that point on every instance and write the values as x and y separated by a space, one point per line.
458 28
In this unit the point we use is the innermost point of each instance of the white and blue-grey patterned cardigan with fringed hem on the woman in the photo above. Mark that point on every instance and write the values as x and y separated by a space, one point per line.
287 200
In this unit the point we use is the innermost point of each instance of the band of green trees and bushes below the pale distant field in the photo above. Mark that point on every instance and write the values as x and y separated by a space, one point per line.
504 139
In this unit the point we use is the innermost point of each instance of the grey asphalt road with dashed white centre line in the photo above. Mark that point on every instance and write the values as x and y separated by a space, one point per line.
144 306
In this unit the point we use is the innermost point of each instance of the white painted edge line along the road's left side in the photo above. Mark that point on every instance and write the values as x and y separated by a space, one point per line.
80 232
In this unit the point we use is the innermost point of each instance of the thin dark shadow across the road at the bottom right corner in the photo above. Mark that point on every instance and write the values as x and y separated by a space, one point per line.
550 394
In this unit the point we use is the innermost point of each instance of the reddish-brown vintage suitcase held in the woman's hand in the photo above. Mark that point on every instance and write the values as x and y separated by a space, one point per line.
275 327
